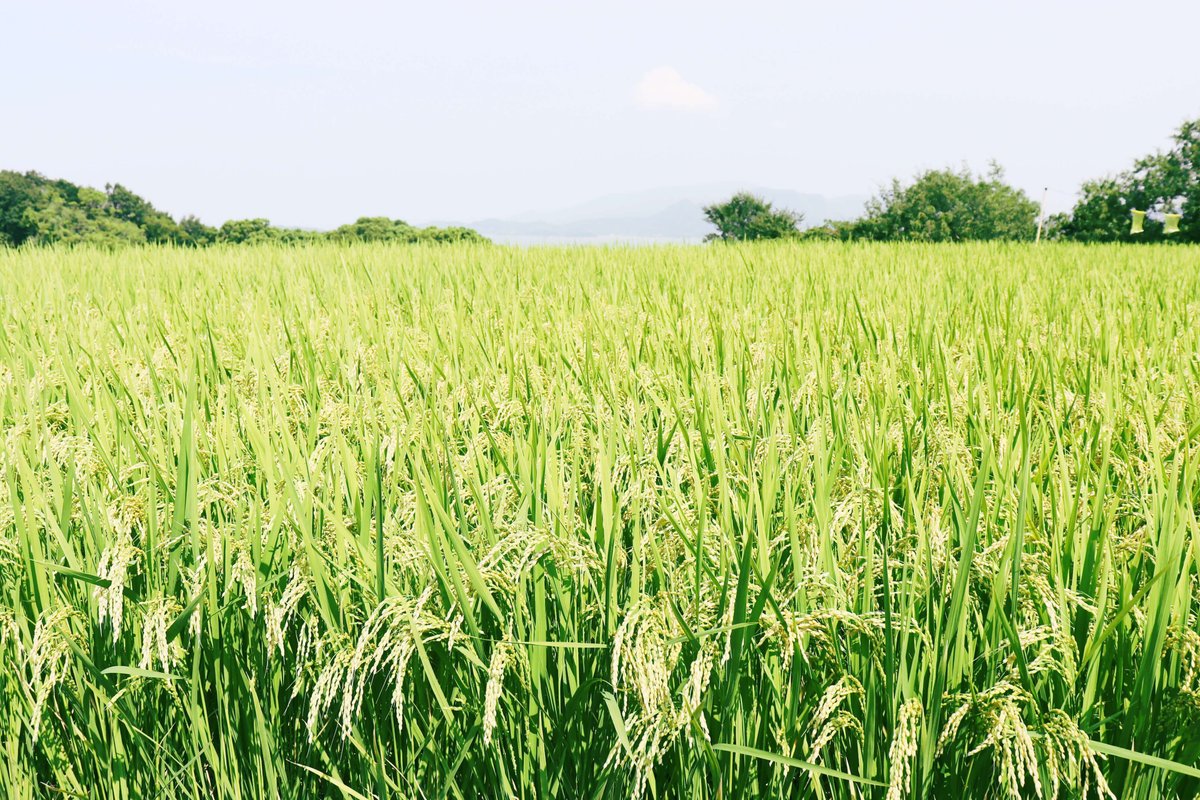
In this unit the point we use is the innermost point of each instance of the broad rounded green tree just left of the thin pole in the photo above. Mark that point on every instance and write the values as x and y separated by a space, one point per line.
946 206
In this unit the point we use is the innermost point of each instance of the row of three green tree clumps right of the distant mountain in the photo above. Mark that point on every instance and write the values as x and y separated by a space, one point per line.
959 206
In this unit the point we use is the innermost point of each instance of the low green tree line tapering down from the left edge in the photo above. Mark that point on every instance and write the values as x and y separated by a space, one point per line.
39 210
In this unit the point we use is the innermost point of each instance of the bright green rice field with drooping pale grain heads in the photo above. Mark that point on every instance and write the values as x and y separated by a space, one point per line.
799 521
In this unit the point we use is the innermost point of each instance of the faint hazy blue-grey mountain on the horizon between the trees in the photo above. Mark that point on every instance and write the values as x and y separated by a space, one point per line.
657 215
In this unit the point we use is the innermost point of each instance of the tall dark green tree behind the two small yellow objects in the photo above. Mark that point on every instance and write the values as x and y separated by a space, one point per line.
1159 184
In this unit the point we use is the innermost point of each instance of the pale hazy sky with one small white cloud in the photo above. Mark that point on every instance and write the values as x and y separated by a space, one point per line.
313 115
